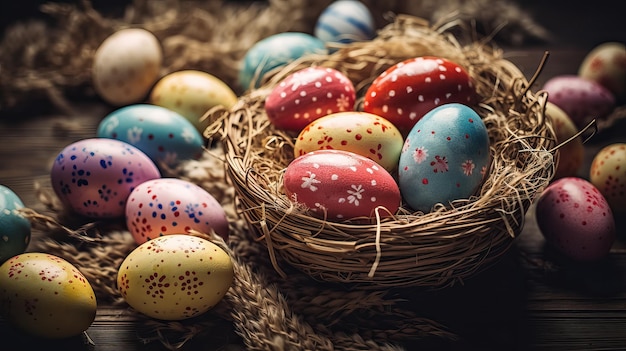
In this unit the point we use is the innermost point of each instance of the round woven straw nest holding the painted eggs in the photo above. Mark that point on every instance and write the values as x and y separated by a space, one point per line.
435 249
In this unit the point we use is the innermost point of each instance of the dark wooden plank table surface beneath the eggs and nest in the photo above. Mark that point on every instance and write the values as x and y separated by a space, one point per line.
530 300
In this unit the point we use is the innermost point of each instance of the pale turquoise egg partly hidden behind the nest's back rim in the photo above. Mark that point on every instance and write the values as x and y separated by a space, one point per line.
273 52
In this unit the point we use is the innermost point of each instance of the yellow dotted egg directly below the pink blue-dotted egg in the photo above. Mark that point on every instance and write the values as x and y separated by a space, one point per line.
175 277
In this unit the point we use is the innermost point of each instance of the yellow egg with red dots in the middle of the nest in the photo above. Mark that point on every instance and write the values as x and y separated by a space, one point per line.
360 132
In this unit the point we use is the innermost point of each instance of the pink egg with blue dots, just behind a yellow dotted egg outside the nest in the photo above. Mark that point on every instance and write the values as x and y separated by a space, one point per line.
173 206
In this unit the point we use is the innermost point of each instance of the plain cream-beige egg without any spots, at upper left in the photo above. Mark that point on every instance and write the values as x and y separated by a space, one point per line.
126 65
